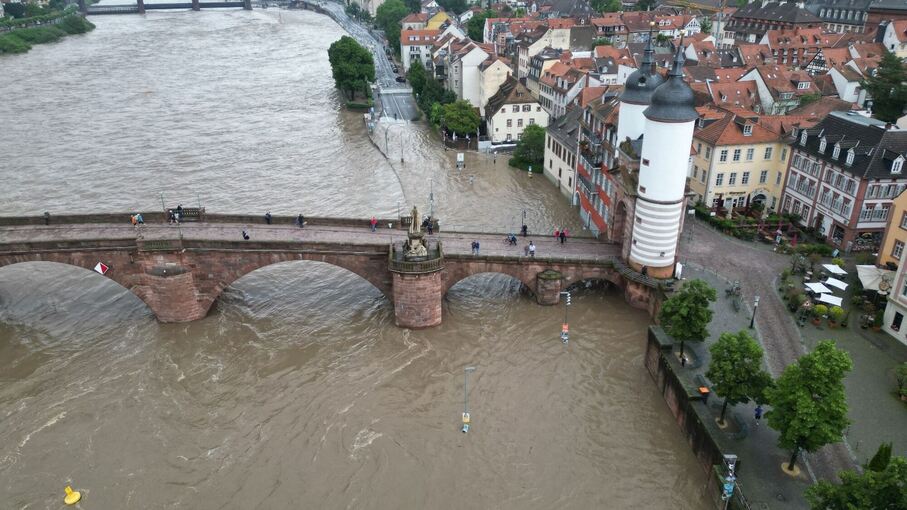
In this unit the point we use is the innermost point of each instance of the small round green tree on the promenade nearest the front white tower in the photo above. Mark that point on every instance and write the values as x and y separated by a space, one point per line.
686 314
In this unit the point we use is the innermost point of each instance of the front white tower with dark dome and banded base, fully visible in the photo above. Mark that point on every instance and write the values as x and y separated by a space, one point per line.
669 122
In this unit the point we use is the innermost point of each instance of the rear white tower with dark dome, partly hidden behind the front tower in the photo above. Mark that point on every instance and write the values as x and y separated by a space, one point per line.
637 95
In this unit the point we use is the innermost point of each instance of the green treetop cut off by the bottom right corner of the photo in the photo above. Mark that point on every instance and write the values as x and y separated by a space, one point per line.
884 488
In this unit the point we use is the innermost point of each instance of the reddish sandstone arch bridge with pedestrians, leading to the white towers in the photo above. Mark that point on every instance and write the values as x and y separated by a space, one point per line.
180 270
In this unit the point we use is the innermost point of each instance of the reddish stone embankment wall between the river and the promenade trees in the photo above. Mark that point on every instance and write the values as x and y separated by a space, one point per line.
689 407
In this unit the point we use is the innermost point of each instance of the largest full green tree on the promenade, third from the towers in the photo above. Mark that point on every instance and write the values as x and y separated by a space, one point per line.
809 407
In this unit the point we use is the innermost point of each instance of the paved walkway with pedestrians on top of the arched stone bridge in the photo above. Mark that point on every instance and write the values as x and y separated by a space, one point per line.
455 243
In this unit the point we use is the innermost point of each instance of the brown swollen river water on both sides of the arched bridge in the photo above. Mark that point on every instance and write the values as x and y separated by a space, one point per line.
297 390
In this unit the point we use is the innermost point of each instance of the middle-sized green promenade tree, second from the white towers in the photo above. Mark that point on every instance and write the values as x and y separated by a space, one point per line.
736 369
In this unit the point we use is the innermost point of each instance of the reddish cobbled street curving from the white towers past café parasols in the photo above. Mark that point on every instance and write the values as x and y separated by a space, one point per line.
757 267
